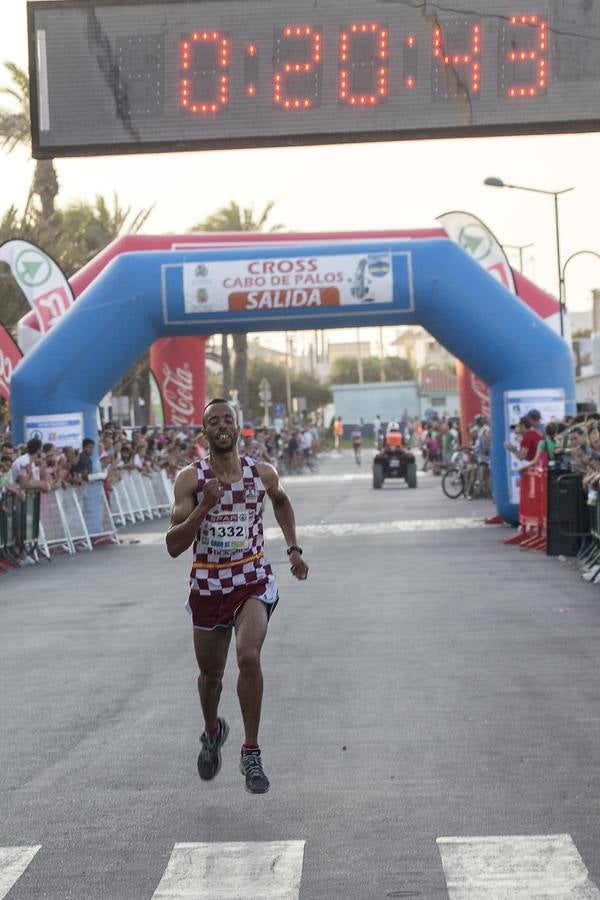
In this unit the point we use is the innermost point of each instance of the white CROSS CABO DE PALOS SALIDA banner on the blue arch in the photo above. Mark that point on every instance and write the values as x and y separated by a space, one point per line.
294 281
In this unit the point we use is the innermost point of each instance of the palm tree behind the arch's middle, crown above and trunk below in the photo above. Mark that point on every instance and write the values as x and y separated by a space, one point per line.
233 218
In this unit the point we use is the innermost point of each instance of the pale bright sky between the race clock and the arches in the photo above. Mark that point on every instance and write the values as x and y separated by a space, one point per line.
353 186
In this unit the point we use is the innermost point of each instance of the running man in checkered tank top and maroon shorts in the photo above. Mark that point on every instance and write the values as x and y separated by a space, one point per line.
218 508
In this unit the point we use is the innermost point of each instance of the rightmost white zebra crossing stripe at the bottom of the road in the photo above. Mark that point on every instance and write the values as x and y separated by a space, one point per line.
546 867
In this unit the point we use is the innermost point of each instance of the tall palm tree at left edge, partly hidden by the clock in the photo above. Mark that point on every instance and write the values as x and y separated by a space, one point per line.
15 131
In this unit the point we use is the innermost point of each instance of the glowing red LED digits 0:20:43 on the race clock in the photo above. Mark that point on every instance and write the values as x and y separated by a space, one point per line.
368 54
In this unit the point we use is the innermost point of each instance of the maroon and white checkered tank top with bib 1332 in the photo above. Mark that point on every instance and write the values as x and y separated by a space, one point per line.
228 550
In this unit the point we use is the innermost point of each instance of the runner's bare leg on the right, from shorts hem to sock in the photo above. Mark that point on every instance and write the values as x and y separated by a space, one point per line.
250 631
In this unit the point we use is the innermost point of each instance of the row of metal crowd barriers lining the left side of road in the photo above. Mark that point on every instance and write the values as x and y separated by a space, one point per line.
76 518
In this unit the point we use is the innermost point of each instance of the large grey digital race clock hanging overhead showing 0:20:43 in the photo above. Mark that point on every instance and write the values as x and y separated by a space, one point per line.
123 77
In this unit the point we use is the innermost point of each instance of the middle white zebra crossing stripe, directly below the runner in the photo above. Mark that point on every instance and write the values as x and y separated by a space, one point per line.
233 871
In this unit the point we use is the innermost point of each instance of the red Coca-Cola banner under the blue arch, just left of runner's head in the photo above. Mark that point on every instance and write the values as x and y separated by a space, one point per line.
178 366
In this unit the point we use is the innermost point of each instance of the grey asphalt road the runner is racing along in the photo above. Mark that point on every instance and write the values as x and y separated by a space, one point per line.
427 681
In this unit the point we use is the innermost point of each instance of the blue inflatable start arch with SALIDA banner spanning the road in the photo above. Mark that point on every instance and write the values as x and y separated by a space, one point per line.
142 296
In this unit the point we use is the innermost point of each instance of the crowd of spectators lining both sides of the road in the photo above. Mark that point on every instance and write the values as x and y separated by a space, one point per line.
572 443
